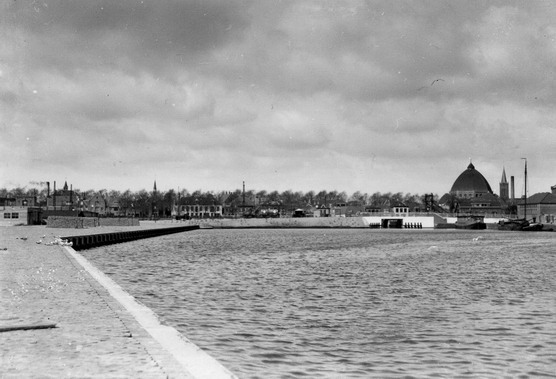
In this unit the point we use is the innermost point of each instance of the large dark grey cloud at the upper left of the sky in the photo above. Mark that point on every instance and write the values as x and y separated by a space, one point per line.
129 35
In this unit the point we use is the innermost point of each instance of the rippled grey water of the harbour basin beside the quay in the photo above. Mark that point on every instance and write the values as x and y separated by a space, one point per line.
352 303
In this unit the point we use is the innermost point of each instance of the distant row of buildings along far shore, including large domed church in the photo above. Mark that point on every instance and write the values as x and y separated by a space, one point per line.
470 194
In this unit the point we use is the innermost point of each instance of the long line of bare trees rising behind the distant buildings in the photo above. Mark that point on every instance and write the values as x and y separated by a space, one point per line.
141 202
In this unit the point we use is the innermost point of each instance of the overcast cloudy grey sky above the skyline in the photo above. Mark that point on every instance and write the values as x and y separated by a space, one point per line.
370 96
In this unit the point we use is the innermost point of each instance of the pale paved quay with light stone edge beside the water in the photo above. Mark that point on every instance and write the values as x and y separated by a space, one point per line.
100 330
